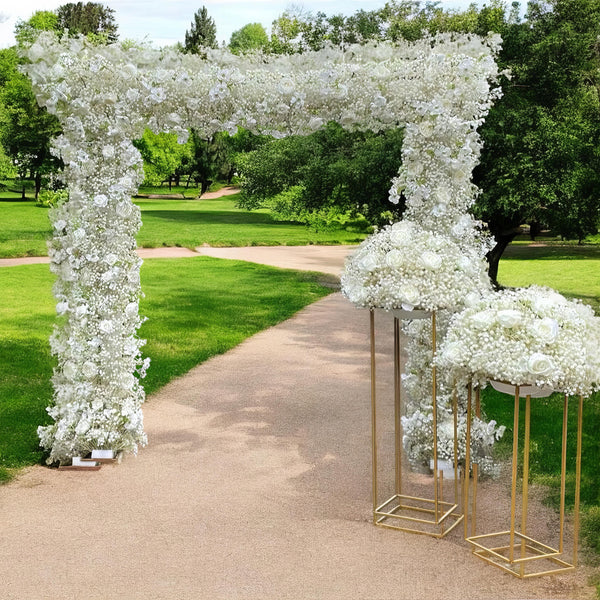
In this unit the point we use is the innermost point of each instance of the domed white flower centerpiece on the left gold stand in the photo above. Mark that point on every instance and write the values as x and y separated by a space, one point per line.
404 266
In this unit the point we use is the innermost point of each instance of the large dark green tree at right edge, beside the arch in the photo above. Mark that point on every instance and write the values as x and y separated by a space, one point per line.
540 162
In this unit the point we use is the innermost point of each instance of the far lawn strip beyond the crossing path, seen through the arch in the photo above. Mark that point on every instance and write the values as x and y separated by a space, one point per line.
186 223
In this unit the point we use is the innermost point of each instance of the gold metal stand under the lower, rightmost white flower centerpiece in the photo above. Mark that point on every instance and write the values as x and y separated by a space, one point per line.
514 551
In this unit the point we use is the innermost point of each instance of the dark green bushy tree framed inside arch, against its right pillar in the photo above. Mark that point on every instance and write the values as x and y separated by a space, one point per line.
329 173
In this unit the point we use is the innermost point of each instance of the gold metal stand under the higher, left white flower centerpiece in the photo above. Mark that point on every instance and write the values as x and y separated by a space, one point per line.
428 516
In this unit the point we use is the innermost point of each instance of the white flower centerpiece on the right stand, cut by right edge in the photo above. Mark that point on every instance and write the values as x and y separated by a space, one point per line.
529 336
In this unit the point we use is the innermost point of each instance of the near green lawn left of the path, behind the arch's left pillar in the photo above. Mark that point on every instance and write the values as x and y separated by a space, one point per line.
197 308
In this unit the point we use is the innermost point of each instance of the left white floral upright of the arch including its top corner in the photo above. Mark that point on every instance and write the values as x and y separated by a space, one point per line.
98 396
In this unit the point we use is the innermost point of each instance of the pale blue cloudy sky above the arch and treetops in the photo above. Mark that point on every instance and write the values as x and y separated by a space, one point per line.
164 22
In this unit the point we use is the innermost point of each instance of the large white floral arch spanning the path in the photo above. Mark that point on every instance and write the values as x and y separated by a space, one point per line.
438 89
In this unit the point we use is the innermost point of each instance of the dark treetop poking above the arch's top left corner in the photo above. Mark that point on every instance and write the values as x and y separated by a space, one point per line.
91 19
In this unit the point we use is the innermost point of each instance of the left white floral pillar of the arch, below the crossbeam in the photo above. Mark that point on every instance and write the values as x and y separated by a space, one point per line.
97 396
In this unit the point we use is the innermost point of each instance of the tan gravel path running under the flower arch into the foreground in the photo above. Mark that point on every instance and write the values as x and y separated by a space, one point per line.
255 485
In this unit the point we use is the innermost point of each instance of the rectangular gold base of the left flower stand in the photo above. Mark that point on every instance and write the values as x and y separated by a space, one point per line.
417 515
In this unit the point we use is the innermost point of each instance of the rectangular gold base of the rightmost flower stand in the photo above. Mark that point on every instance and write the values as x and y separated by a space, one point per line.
523 558
